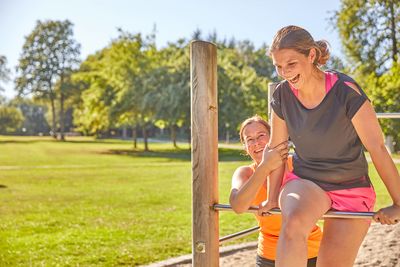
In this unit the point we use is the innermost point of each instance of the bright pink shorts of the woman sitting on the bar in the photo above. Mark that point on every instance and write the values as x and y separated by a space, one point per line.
358 199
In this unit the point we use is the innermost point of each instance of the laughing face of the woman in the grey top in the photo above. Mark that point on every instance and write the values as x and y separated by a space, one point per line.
293 66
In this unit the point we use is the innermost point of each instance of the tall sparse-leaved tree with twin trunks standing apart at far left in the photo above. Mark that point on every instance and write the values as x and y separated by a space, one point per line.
49 54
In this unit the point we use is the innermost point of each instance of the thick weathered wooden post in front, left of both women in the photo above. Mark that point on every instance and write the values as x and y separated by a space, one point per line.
204 115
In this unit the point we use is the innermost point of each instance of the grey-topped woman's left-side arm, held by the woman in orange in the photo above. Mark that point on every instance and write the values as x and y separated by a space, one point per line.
279 134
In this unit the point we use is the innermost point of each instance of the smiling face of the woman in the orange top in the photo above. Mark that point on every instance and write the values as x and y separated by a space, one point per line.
255 137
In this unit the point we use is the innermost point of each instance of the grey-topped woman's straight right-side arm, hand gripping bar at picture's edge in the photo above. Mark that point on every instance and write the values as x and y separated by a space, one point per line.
368 129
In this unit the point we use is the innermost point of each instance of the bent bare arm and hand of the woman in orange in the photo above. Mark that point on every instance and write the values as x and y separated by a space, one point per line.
246 183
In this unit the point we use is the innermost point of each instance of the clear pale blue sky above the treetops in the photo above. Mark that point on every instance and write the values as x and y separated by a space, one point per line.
96 21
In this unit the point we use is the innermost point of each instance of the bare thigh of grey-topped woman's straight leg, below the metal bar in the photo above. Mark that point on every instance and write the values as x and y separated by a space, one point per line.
341 240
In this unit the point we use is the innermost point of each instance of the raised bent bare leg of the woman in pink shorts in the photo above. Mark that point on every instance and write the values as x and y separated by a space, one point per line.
302 203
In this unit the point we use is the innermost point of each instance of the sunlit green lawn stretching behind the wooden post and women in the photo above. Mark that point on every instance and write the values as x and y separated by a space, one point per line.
100 203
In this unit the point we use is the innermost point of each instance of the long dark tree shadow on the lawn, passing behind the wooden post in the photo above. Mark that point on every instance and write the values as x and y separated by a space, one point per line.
224 154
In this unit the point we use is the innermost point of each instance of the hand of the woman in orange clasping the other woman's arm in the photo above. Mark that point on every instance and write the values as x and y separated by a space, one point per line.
275 157
